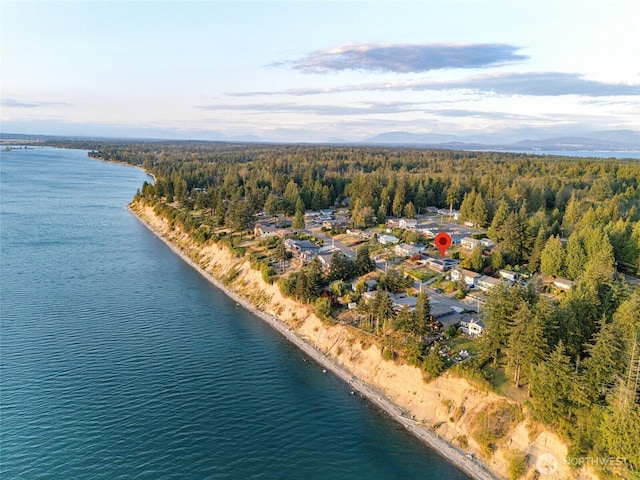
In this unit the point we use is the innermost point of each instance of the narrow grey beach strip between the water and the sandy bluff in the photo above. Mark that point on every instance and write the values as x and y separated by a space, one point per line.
462 460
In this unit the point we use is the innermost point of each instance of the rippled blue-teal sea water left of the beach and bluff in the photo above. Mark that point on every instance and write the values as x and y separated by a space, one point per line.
117 360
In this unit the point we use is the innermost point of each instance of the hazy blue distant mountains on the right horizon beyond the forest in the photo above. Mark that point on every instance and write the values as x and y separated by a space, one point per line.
609 140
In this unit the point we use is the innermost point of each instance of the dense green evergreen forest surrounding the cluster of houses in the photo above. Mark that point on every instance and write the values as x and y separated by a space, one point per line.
578 357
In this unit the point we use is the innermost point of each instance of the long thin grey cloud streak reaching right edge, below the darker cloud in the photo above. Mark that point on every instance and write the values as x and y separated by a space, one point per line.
509 83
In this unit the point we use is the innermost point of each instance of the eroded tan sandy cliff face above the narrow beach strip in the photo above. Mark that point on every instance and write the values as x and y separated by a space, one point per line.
450 406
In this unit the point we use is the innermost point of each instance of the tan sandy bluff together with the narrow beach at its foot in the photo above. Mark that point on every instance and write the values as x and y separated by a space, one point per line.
441 413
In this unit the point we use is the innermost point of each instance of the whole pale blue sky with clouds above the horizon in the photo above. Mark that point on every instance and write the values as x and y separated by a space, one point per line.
317 71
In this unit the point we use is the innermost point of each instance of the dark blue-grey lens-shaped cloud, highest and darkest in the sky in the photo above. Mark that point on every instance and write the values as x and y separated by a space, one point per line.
400 58
